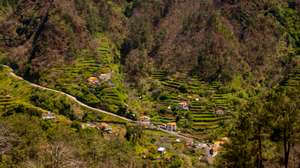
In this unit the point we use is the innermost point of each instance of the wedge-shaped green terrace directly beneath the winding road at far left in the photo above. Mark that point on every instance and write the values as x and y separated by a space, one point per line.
18 95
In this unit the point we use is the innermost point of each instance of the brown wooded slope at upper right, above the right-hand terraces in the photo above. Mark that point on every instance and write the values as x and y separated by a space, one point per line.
214 39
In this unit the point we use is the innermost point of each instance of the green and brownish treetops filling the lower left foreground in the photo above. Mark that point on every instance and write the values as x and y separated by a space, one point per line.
32 142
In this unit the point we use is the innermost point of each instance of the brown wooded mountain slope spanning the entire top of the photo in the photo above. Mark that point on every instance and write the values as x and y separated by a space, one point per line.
214 39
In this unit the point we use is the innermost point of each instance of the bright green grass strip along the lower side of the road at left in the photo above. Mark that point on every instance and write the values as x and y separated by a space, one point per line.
18 93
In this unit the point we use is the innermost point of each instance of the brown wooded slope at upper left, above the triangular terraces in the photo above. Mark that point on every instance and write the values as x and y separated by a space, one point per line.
39 34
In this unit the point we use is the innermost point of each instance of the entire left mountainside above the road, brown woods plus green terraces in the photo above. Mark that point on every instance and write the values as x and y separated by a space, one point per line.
61 44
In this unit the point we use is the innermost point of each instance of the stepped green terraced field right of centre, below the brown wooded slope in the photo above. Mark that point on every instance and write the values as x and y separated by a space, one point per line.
203 113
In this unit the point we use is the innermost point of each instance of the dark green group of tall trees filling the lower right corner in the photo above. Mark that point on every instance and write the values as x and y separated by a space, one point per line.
268 120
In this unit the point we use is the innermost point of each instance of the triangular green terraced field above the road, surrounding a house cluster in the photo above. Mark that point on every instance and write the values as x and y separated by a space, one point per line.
73 79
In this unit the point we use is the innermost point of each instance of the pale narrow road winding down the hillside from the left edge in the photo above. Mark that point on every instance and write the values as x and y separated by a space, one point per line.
12 74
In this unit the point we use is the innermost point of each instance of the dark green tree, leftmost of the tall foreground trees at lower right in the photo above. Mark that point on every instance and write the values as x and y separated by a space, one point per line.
247 136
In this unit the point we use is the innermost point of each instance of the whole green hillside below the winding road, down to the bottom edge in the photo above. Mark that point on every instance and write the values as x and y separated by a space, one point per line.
74 137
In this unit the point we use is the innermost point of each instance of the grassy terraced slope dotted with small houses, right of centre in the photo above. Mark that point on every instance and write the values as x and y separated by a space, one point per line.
209 106
